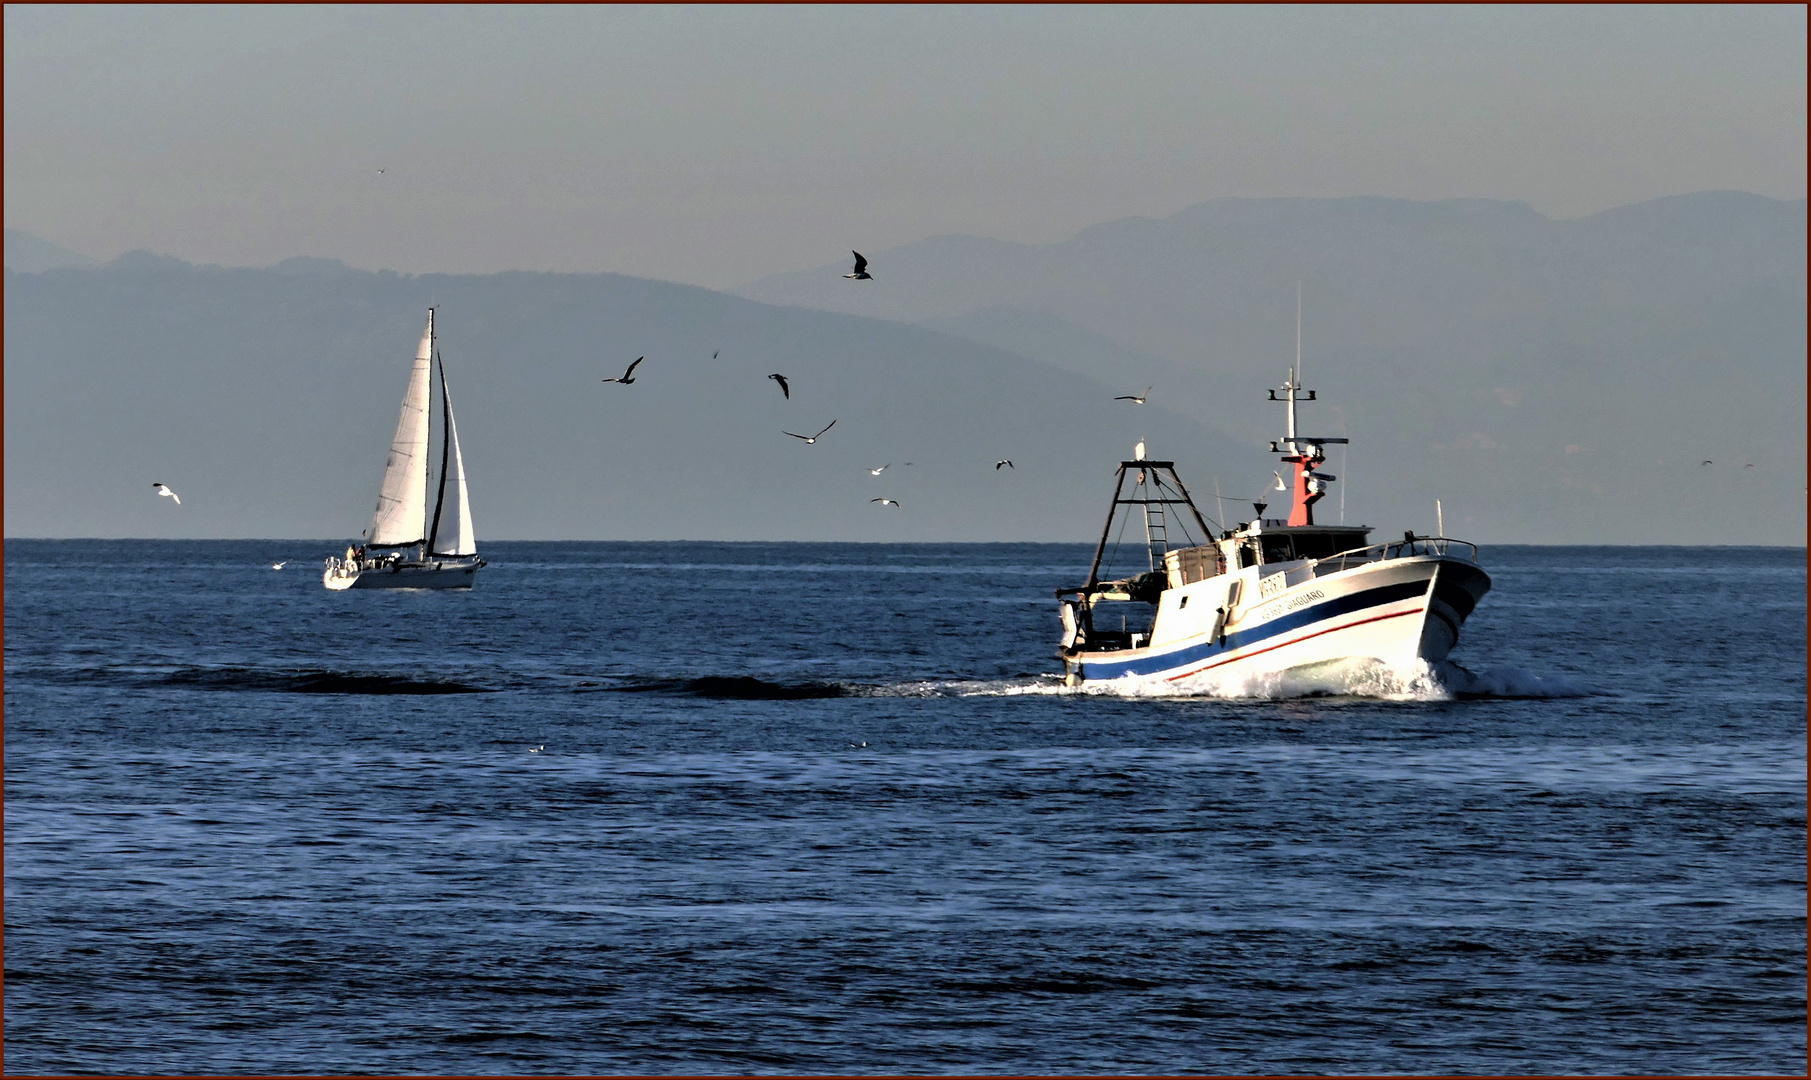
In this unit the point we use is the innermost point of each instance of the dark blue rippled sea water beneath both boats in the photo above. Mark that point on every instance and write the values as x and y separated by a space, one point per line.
604 816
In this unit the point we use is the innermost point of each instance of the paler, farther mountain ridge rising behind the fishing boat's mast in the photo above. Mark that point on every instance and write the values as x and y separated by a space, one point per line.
1553 380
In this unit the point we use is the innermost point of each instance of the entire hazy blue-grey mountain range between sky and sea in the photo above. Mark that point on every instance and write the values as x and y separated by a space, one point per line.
1553 381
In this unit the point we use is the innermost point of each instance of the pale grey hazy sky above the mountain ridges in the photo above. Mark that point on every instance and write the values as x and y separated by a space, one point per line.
720 144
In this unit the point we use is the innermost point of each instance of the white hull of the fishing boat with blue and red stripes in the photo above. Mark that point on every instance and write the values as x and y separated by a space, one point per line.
1390 613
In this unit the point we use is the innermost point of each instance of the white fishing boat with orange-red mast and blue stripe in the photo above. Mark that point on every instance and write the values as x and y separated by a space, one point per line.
1267 597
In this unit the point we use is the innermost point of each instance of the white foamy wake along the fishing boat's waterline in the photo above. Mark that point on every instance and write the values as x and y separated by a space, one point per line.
1365 679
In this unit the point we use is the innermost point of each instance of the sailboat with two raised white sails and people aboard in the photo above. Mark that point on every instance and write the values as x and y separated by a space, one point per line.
407 548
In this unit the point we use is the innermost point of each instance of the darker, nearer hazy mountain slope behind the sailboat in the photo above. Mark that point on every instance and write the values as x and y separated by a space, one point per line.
269 398
